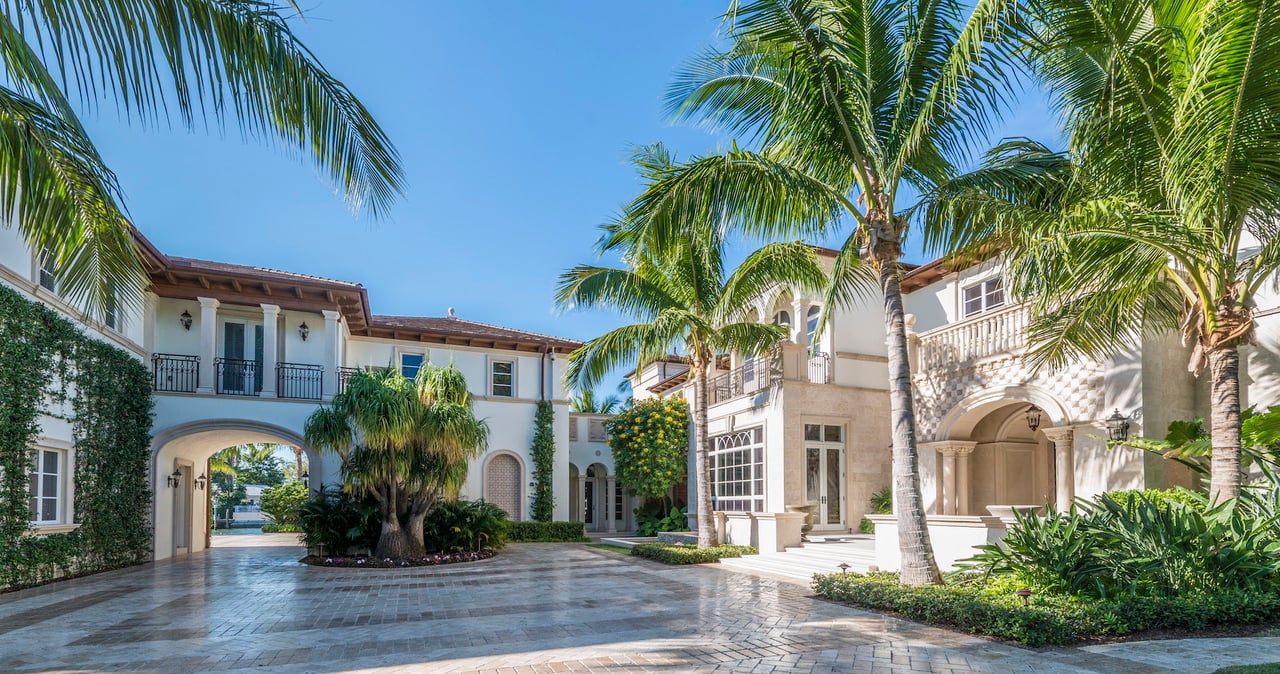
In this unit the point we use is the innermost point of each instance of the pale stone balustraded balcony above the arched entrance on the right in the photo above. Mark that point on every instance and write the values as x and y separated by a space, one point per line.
982 337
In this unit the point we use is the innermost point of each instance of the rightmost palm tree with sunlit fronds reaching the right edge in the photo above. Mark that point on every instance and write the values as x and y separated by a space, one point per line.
1160 216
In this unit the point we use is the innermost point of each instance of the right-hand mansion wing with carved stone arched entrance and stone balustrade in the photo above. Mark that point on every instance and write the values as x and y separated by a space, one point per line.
807 429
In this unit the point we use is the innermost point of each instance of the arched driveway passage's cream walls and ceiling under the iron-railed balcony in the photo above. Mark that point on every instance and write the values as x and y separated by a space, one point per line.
180 515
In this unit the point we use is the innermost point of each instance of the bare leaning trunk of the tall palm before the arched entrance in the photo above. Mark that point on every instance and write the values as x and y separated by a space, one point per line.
913 531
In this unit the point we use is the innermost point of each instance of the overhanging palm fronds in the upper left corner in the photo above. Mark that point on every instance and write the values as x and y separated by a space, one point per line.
190 61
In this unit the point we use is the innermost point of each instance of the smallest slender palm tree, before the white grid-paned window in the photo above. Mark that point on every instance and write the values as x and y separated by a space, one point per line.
687 300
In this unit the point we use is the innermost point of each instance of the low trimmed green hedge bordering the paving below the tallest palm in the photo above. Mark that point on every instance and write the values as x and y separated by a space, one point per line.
995 611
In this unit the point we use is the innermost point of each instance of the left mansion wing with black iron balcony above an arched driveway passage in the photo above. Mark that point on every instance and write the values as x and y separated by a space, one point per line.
244 355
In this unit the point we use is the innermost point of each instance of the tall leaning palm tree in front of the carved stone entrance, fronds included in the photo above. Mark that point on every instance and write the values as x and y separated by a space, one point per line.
852 104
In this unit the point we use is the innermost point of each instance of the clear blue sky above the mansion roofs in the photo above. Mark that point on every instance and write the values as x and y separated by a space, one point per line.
514 121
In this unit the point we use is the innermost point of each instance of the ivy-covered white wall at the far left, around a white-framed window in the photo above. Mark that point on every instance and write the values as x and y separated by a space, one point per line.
49 368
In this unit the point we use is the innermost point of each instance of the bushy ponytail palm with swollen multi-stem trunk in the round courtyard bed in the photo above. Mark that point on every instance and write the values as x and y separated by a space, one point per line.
404 443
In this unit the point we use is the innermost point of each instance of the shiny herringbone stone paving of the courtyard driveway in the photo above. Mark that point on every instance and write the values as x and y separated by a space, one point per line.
248 606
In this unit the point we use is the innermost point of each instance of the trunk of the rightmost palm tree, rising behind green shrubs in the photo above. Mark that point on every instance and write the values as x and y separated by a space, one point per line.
1224 368
